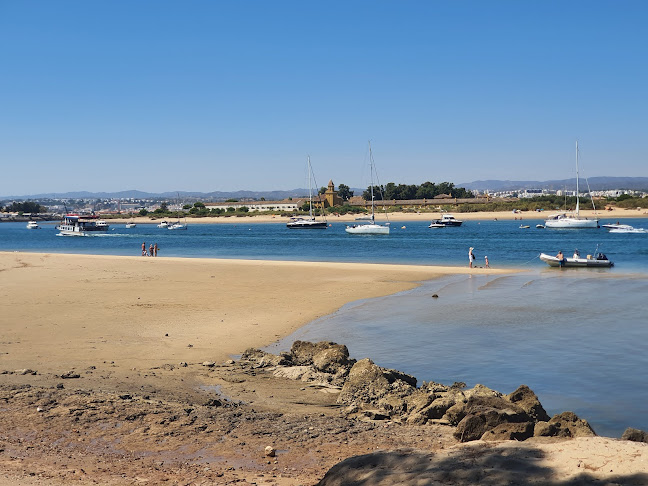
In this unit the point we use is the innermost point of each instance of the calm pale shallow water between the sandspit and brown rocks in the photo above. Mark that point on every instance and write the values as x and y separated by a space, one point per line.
578 340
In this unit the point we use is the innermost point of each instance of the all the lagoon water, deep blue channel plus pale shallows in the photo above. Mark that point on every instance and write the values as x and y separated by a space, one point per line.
577 337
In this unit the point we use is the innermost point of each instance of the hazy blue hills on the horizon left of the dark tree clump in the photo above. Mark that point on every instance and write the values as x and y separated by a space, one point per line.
203 196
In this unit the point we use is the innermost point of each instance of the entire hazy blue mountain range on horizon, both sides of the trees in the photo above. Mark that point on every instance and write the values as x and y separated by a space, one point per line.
595 184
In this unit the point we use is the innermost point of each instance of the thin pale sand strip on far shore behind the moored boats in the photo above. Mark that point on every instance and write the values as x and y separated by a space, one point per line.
615 213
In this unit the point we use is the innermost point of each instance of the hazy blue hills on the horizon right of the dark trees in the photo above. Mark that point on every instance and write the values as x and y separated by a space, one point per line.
595 184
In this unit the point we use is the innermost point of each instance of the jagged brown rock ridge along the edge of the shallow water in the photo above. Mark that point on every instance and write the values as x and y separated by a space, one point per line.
369 391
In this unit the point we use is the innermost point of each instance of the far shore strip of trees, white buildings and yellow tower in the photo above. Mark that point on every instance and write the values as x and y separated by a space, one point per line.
427 197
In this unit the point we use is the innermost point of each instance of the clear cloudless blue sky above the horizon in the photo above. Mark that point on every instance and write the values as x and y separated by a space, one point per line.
218 96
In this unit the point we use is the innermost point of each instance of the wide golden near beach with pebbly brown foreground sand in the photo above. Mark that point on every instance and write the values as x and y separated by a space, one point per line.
143 328
